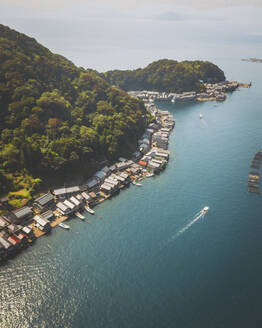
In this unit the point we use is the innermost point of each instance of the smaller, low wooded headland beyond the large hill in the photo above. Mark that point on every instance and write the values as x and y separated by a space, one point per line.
167 75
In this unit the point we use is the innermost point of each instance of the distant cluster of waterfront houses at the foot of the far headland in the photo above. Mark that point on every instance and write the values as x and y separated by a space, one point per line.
213 92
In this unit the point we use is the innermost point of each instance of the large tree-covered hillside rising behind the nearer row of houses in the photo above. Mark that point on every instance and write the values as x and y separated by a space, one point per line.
57 121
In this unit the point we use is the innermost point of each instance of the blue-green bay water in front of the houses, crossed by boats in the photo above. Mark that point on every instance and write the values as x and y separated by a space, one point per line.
138 266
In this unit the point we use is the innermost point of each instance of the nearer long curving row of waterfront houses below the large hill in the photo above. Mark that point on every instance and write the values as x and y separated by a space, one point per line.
19 228
